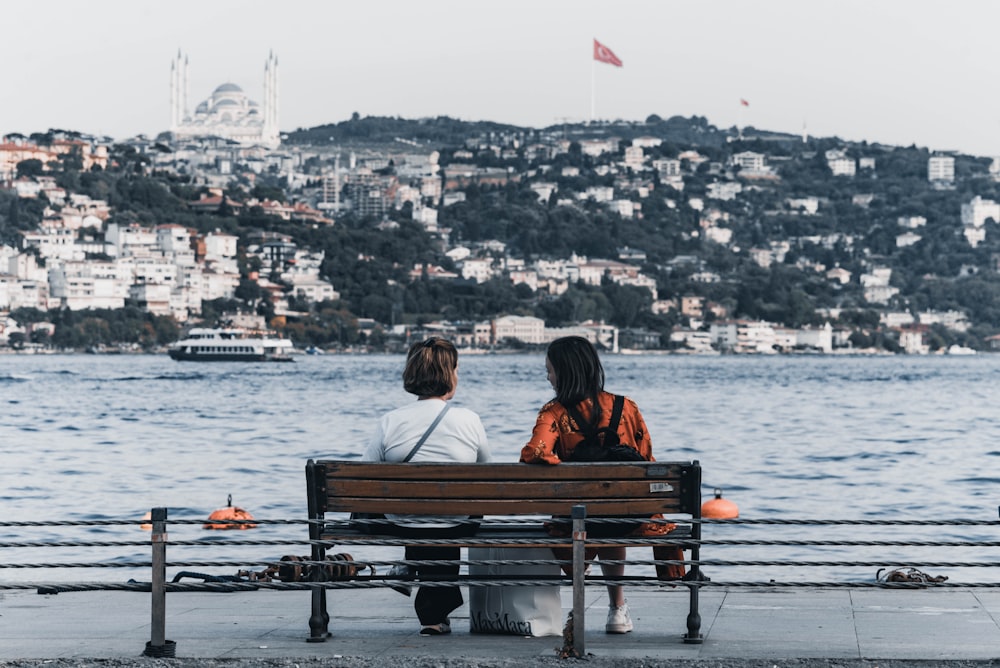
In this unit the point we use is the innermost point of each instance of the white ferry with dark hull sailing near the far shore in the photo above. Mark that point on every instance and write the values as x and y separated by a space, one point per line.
203 344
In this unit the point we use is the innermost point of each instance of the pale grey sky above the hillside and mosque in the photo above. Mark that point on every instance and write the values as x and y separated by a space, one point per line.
897 72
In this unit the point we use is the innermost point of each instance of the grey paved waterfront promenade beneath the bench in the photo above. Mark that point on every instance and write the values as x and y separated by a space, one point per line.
750 627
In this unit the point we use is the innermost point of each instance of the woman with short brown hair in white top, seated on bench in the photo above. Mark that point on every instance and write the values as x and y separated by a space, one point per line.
431 373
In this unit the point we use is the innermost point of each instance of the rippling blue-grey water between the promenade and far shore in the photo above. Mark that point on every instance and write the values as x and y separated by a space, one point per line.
107 437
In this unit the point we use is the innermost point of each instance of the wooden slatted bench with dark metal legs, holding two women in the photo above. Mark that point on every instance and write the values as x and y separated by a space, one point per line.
514 500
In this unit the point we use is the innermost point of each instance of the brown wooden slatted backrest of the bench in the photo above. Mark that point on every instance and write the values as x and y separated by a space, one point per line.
606 488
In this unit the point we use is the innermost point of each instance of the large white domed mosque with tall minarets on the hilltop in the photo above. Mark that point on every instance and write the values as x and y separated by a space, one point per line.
228 112
